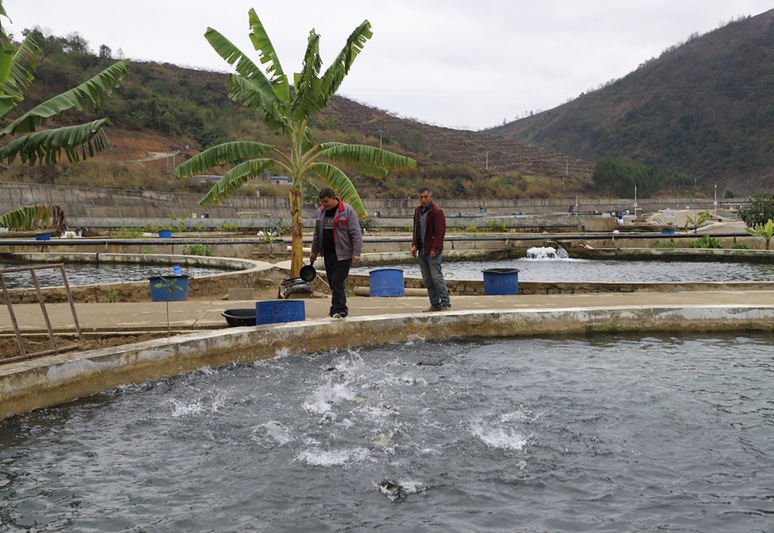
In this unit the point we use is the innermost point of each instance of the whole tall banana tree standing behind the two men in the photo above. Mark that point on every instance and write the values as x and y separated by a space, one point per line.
286 112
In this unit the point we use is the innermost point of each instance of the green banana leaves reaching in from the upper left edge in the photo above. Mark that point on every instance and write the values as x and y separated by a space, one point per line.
17 67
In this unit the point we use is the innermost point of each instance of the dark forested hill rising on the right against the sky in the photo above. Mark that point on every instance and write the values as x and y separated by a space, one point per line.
705 108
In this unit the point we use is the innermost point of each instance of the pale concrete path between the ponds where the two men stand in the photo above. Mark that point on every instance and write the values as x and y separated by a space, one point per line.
206 314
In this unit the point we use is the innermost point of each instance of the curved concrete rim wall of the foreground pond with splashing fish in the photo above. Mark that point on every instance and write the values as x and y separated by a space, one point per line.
53 380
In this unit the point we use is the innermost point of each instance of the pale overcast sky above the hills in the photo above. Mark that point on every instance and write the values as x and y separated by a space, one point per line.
462 64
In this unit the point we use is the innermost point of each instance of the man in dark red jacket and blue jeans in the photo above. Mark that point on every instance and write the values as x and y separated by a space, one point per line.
427 245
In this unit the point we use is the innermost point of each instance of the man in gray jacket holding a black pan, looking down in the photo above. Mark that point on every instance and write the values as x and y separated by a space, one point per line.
337 235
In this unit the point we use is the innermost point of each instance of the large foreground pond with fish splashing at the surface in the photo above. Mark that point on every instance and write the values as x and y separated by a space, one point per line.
614 433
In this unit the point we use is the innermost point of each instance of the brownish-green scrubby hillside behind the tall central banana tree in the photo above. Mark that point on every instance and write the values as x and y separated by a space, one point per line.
164 109
